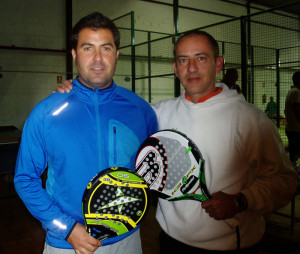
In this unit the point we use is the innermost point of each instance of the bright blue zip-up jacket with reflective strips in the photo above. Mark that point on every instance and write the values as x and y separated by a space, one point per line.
76 135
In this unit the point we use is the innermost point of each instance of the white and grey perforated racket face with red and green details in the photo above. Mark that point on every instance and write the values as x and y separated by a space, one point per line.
173 166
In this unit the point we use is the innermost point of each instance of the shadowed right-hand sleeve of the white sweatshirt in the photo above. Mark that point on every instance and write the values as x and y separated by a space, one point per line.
275 179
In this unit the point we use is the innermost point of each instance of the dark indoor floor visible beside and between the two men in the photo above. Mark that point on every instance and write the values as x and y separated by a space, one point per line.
21 233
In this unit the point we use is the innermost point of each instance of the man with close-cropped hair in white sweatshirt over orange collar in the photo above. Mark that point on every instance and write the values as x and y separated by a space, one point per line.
247 170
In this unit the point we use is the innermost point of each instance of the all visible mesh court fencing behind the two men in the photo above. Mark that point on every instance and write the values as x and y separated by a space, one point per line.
264 47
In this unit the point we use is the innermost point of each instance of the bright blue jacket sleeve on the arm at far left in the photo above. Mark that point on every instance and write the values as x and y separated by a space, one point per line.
31 162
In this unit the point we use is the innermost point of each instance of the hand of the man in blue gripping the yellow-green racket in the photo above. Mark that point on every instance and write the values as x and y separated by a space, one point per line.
81 241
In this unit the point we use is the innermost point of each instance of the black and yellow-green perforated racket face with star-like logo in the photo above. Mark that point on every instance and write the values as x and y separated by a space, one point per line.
114 203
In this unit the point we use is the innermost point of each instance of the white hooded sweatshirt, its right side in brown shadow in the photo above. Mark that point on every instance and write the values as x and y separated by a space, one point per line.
243 152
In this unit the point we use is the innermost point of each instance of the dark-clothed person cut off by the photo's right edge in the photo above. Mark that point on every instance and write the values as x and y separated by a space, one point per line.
292 113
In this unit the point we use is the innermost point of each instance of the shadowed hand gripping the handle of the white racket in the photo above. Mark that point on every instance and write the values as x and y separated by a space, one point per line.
221 206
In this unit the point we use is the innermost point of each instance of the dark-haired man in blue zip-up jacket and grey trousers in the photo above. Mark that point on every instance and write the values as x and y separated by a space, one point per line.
112 119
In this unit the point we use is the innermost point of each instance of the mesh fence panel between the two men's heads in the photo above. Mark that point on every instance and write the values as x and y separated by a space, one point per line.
154 69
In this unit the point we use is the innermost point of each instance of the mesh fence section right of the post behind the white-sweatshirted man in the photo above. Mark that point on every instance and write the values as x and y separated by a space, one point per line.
275 56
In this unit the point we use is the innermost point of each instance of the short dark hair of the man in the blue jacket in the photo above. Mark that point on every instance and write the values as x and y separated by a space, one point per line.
95 21
